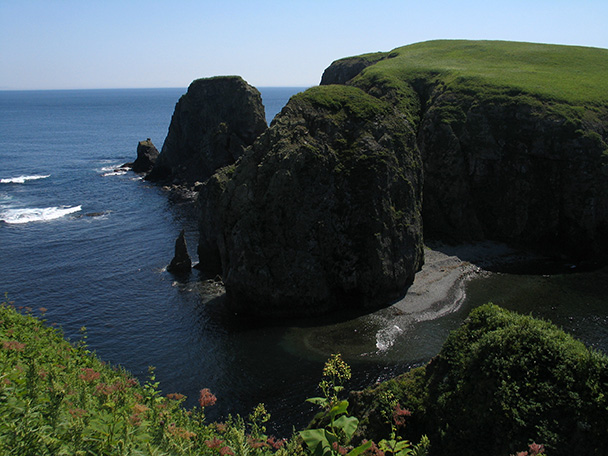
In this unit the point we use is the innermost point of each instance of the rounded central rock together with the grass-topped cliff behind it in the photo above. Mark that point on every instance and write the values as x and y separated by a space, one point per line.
325 209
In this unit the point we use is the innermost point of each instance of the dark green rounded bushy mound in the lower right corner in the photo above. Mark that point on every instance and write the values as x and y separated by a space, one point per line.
501 382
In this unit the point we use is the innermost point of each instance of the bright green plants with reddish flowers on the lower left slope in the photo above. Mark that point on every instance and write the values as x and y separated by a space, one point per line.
60 399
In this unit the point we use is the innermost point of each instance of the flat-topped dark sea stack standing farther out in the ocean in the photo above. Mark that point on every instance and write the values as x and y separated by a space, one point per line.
211 126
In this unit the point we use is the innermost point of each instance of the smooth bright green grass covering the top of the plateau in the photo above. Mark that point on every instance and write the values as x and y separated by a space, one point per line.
572 74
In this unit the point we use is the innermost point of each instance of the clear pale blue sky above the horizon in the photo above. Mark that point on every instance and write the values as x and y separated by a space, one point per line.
63 44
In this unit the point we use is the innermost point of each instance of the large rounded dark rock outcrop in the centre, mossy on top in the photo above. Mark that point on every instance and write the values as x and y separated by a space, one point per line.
322 213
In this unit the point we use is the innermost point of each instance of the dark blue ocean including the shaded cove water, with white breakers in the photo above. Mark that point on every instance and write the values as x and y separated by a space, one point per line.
88 244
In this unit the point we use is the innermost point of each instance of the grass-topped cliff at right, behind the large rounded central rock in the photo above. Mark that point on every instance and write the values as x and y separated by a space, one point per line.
513 137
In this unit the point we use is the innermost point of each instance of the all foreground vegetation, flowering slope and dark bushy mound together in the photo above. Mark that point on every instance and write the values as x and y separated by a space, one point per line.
501 383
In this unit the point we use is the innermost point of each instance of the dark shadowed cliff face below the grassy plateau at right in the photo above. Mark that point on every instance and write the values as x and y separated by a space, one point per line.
516 170
